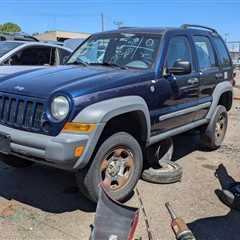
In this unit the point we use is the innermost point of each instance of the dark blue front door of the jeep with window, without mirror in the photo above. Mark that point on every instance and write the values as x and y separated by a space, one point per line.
178 108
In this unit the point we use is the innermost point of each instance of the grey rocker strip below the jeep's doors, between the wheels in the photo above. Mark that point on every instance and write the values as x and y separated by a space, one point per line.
176 131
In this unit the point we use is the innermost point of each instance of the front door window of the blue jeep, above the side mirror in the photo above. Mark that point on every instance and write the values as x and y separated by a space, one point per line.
178 49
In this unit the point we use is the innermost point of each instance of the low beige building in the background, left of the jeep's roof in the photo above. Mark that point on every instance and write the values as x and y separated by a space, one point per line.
60 36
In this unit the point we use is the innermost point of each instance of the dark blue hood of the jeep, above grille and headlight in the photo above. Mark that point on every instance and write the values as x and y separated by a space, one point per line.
68 79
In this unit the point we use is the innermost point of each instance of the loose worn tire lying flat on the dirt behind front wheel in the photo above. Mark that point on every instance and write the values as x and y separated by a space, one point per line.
168 172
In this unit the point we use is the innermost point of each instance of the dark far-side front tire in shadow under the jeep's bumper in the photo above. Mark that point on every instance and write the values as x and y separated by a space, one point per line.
15 162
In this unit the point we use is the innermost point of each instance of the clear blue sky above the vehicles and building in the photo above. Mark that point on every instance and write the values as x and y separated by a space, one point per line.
84 15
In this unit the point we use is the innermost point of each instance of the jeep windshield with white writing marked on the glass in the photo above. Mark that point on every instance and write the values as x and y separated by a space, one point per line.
127 50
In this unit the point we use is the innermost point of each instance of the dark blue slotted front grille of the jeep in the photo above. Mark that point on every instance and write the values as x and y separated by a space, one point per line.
21 113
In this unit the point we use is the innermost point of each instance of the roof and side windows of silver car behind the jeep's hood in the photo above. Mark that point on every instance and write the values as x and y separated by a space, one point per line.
32 53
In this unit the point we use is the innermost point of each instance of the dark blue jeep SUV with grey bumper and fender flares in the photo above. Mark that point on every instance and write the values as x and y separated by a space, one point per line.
119 93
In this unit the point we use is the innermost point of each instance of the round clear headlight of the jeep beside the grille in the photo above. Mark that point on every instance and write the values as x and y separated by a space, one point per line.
60 107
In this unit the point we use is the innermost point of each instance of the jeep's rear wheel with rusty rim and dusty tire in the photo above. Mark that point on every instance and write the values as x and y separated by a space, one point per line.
213 135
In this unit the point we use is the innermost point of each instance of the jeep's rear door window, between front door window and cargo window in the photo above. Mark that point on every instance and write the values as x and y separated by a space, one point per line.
205 53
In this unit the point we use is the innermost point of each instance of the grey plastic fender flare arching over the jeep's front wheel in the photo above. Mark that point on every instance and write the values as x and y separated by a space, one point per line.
101 112
